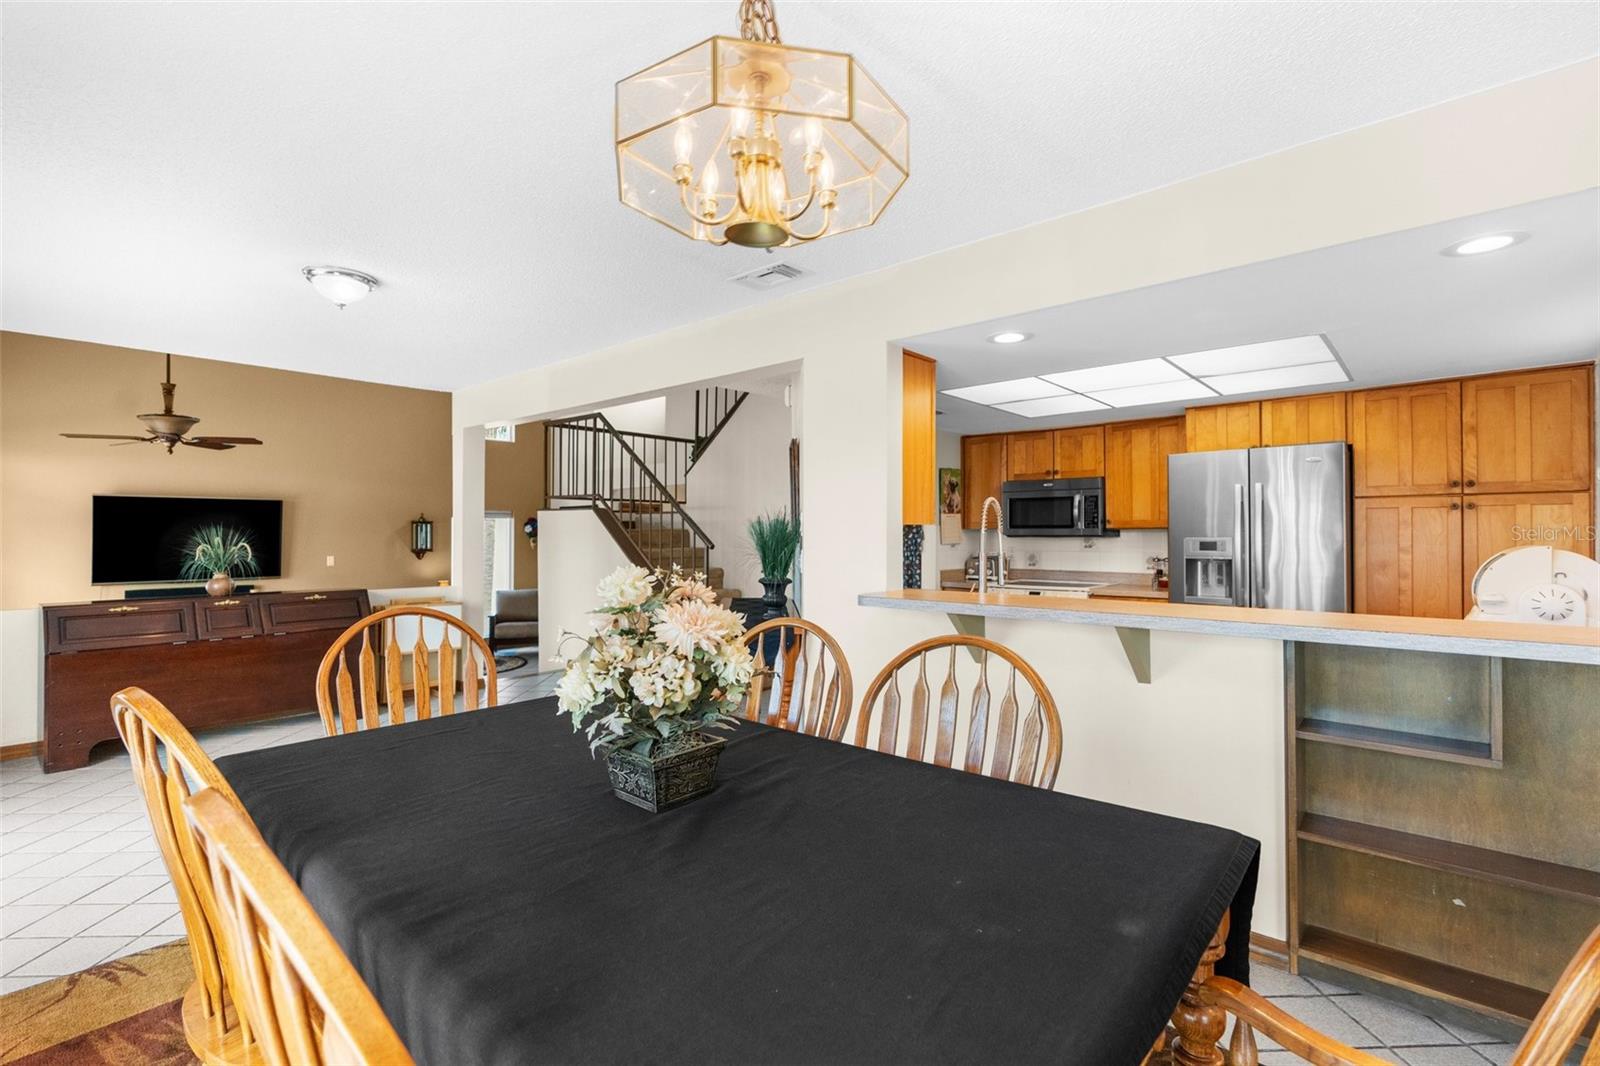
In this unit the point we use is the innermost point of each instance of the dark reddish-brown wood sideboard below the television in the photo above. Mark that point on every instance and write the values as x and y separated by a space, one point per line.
212 662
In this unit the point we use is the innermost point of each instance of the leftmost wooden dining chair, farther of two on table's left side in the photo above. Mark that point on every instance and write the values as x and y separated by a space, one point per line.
167 766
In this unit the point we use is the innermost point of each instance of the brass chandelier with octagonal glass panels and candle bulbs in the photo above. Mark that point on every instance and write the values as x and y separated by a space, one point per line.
769 113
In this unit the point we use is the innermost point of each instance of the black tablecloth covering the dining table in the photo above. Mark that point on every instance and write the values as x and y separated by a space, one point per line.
825 905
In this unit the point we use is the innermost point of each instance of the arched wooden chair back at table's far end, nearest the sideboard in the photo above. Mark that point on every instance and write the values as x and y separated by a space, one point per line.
346 707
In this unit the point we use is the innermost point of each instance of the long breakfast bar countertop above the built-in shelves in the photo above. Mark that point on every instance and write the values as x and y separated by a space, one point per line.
1516 641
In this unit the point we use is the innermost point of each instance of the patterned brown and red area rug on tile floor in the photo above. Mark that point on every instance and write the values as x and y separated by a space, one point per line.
124 1012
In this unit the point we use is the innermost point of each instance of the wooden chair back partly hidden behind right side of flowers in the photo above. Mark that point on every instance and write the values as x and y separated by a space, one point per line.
778 694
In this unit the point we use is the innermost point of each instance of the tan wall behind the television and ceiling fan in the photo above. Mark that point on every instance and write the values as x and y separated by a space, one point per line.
353 462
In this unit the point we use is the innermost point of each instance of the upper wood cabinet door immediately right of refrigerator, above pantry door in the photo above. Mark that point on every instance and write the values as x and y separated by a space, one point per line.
1407 441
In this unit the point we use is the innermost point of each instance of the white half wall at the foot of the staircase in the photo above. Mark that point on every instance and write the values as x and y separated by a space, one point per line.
575 553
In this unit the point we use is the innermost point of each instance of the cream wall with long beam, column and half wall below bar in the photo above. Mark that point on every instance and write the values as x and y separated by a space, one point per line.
1206 740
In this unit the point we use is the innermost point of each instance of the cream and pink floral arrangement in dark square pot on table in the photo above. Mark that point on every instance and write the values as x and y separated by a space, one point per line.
665 663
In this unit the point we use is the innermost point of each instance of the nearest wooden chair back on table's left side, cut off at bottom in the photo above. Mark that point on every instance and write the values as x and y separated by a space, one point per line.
306 1003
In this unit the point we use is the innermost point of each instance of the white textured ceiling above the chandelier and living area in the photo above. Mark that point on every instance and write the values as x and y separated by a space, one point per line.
169 169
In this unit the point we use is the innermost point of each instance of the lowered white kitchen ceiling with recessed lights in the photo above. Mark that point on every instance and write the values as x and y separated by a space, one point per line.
1391 307
